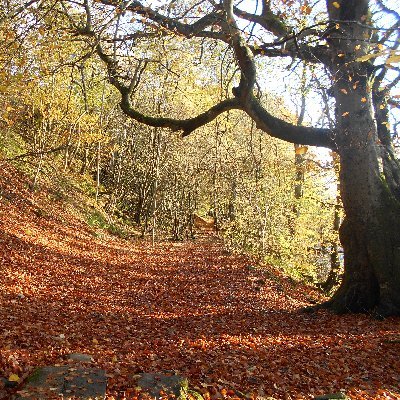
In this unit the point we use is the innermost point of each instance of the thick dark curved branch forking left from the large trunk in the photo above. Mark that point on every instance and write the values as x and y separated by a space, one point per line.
244 97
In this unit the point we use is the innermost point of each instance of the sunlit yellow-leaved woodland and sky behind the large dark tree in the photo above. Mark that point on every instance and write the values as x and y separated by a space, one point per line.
60 116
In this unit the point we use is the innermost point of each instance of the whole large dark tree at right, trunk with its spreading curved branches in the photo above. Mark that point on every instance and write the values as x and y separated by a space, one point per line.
339 37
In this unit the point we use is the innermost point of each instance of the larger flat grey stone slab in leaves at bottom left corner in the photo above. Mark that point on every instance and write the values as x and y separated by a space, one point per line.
49 382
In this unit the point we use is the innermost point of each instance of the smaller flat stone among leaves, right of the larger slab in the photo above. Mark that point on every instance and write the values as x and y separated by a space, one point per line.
155 383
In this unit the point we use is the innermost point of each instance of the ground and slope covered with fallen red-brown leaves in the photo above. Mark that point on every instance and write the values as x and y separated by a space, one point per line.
189 307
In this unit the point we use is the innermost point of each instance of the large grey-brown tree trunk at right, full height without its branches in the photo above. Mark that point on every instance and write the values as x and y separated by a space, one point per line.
370 233
